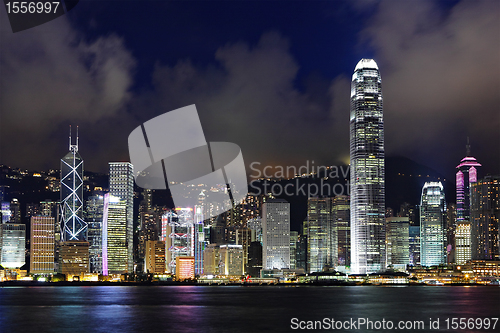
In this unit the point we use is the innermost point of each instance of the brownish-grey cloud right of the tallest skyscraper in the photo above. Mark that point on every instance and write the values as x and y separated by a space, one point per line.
441 78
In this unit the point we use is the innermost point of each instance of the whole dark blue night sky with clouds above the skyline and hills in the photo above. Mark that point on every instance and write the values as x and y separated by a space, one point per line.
270 76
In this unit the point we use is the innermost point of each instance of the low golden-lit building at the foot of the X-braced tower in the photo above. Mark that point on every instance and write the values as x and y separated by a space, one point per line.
74 258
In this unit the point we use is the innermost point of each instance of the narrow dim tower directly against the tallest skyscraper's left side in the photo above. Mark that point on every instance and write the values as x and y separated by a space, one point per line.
341 219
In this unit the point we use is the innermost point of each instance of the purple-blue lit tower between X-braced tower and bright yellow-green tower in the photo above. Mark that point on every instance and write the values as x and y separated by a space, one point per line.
94 218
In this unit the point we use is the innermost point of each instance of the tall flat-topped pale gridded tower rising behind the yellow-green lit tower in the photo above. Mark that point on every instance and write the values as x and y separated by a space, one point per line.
121 184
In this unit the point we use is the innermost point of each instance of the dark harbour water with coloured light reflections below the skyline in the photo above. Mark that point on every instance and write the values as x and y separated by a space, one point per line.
229 308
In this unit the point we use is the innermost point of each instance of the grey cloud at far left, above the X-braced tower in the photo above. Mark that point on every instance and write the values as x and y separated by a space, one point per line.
52 76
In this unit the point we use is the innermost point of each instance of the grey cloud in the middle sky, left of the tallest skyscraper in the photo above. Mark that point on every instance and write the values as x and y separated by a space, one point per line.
249 96
